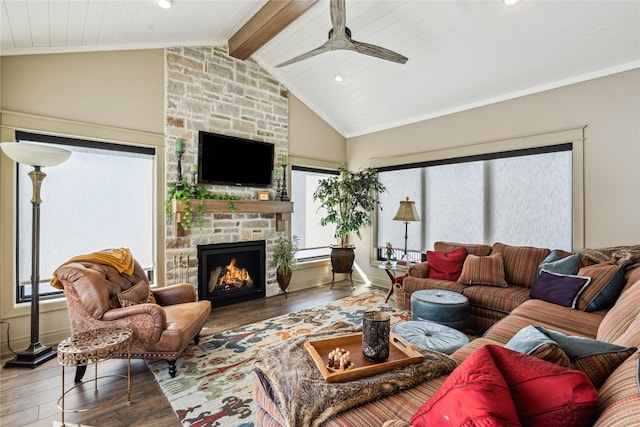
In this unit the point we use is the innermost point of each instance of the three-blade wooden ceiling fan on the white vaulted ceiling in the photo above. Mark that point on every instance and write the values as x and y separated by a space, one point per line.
340 39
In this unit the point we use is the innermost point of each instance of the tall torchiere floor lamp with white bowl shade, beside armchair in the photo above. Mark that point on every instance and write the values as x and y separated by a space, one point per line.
37 156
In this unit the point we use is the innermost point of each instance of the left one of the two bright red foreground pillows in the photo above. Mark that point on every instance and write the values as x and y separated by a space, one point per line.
474 394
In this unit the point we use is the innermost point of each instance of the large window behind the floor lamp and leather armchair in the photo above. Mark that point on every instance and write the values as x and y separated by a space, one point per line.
102 197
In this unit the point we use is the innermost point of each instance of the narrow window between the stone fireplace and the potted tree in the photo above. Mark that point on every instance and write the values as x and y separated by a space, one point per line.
315 240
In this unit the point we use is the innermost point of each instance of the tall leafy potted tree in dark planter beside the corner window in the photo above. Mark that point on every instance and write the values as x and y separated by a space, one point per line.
350 199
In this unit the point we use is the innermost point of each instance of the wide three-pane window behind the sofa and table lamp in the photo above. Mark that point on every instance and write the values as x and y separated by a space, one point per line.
521 197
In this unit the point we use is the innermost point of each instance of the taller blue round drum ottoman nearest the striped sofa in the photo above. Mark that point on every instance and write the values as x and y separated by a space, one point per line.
445 307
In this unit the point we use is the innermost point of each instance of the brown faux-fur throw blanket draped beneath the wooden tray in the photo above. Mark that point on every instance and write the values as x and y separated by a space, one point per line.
304 398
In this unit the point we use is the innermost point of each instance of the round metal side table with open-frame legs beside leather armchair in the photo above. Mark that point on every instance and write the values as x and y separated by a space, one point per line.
93 346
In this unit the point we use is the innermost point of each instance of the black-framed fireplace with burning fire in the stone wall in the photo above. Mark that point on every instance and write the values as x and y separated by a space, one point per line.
229 273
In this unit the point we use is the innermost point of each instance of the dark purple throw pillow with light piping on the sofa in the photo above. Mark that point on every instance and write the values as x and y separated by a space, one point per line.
561 289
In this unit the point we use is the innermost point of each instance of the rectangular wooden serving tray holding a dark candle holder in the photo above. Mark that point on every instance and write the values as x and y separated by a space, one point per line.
400 354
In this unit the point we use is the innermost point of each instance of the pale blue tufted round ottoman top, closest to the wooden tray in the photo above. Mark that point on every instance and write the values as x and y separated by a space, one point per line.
431 335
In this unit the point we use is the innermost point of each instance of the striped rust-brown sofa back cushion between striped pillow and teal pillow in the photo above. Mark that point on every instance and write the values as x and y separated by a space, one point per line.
520 263
